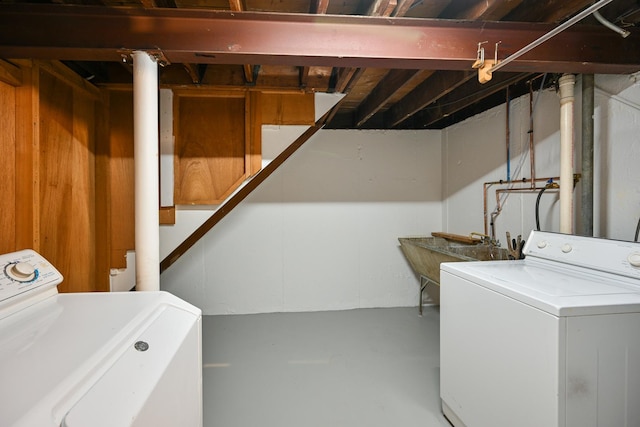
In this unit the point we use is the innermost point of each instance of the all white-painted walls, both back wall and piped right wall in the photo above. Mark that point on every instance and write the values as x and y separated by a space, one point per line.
320 233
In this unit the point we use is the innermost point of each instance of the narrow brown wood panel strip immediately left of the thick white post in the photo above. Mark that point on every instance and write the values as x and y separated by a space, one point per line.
122 176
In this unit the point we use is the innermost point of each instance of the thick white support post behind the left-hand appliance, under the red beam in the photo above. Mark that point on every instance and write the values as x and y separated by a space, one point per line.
145 135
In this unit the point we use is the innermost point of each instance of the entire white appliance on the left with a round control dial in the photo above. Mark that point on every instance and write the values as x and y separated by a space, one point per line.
94 359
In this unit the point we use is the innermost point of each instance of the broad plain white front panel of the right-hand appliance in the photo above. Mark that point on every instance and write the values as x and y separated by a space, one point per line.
499 358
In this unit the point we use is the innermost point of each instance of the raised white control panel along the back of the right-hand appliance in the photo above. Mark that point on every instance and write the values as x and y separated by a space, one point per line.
611 256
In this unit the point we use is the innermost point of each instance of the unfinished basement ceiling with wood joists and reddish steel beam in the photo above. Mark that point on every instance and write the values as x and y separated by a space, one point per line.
383 91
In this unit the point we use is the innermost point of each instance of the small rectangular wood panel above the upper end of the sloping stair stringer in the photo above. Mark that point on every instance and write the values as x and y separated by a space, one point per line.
293 108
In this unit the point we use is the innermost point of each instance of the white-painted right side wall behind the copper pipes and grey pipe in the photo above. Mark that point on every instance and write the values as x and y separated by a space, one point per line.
474 152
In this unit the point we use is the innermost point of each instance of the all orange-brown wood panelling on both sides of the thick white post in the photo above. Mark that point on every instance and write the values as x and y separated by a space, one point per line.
66 161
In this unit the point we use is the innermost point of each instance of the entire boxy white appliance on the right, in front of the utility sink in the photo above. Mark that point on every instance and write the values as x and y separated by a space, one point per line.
549 341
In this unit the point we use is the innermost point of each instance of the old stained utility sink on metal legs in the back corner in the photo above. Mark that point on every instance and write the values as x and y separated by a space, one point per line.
426 253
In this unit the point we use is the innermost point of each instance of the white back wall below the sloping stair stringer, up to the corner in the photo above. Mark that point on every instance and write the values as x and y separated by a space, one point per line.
321 232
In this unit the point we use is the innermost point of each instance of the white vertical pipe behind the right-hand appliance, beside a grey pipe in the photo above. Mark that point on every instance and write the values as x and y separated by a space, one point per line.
567 83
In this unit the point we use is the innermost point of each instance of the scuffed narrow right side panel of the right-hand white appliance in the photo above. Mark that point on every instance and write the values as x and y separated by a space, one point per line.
603 372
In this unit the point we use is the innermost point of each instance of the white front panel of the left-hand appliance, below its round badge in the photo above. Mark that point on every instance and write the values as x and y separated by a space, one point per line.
160 386
